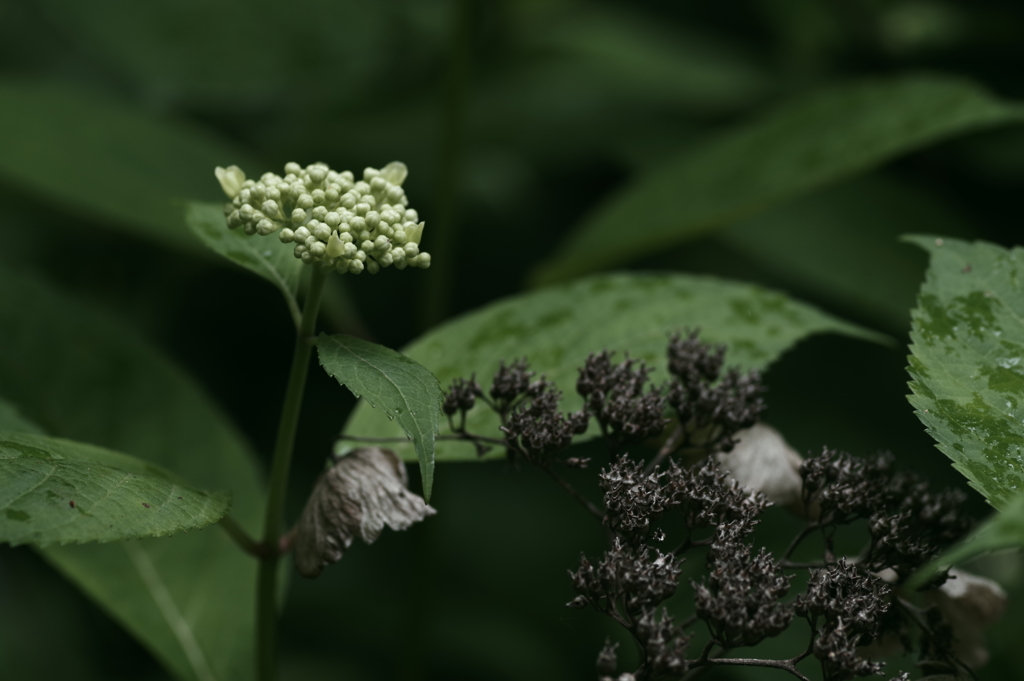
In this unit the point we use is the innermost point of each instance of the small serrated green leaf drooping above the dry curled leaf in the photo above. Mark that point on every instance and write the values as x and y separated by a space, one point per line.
400 388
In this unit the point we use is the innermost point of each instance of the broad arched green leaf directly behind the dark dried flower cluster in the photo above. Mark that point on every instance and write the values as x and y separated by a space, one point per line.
558 328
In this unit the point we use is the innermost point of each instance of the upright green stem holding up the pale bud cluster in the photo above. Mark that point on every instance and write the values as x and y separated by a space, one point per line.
267 597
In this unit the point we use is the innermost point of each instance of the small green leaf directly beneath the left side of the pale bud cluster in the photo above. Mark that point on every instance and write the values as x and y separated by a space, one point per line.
267 257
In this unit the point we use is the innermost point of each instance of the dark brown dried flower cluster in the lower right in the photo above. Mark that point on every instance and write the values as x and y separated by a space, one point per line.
705 484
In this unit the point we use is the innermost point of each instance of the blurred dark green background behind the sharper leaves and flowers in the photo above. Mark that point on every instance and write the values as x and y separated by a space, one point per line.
518 119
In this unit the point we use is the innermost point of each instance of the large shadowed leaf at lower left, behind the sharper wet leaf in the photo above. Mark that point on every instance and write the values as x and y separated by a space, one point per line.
83 375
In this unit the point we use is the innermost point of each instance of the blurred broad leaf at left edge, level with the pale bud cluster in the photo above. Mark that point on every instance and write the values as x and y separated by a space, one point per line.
102 159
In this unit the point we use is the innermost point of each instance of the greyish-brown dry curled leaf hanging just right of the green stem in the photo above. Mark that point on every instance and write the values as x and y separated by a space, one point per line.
363 492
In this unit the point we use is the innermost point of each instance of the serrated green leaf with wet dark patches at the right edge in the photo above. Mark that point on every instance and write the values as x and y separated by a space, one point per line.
968 362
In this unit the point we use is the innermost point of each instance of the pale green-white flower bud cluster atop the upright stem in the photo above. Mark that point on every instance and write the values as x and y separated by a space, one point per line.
351 226
